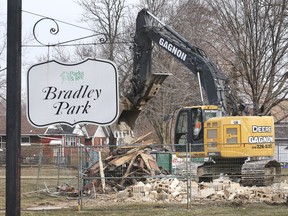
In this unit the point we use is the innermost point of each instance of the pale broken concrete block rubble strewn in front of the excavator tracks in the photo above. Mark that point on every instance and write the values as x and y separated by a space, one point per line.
222 189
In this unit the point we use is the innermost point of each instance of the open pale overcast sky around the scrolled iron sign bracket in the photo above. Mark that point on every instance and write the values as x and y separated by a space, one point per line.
64 10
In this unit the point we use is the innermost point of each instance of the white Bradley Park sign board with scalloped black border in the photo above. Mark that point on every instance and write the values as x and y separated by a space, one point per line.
85 92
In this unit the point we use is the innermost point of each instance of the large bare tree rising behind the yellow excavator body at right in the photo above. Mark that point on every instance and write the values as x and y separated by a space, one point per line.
255 33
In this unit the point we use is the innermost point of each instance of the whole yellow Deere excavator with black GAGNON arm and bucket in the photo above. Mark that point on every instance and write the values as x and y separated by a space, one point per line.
226 142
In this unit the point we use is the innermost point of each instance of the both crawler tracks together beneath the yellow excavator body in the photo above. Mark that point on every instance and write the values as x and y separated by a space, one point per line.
251 173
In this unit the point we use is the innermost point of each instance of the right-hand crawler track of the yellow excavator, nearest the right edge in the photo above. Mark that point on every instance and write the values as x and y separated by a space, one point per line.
260 173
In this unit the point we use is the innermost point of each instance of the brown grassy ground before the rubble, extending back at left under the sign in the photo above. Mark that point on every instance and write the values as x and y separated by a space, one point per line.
36 201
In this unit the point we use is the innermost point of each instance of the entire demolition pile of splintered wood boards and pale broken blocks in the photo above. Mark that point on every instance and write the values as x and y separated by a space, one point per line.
132 174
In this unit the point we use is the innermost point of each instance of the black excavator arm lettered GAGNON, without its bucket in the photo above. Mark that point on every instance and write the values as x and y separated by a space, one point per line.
212 80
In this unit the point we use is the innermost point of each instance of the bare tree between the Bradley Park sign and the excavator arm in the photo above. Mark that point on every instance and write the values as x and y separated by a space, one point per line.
111 21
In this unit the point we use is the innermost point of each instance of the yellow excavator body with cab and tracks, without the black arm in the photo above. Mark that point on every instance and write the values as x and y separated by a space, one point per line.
240 146
